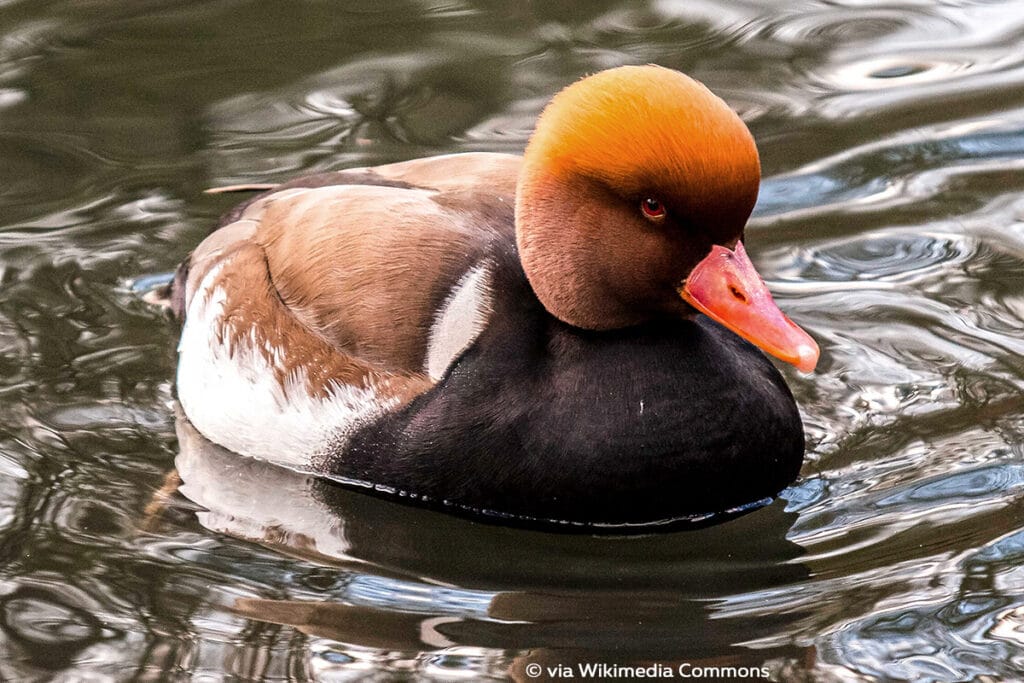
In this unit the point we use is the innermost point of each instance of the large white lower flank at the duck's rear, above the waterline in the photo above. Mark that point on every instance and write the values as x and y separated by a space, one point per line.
232 397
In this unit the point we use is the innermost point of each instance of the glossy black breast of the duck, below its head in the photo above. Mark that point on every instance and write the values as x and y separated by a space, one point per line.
542 421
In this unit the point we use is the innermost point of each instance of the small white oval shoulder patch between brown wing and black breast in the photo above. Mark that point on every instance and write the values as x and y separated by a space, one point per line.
461 320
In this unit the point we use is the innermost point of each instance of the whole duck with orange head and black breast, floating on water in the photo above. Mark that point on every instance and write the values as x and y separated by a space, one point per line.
575 337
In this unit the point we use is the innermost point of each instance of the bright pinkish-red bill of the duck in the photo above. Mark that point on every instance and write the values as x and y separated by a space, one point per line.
728 289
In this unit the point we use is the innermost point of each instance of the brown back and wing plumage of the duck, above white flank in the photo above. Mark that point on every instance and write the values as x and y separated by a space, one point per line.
352 275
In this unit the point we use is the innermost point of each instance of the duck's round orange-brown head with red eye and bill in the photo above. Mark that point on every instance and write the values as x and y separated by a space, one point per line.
630 180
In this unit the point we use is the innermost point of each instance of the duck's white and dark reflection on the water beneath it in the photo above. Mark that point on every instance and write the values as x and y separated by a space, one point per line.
422 581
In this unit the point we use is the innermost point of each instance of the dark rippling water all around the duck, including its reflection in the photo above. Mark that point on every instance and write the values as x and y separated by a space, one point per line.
891 225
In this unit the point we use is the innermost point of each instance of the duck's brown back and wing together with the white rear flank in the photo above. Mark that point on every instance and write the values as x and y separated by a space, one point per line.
321 306
